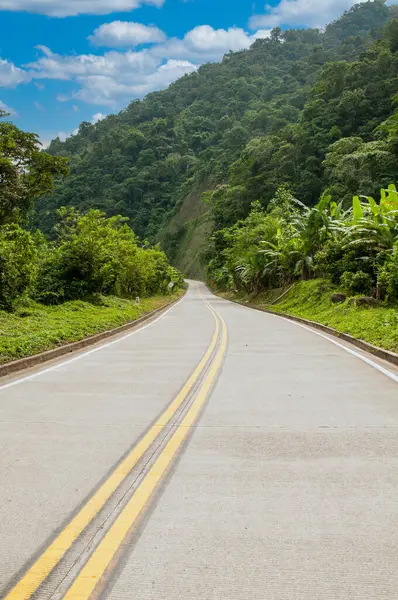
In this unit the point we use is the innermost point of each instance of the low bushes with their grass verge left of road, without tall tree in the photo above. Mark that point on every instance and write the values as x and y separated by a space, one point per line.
85 281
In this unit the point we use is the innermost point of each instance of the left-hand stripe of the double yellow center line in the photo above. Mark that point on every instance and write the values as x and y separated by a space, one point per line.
42 567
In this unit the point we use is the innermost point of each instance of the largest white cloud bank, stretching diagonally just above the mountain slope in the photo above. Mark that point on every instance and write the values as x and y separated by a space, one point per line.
116 77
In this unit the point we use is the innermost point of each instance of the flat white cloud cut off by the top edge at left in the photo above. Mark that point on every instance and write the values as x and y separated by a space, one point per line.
68 8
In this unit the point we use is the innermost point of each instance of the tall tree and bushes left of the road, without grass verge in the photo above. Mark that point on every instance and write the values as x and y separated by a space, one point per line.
88 255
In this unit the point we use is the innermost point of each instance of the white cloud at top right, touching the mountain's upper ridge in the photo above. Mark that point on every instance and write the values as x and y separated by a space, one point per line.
309 13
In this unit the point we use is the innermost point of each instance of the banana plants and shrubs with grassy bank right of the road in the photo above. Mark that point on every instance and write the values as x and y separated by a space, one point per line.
342 262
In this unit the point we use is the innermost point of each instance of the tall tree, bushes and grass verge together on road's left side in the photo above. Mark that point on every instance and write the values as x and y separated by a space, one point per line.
84 279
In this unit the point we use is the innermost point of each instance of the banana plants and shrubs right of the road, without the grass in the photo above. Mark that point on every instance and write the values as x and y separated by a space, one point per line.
356 248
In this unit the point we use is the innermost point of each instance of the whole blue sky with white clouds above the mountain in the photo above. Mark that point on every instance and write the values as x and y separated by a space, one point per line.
65 61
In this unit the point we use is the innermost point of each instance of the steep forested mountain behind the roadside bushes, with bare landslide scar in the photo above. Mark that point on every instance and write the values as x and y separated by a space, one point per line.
306 108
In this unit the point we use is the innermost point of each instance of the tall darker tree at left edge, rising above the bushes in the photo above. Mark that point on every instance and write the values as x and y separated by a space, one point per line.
25 172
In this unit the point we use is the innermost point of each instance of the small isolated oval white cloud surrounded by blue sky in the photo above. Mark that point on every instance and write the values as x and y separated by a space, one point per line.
123 33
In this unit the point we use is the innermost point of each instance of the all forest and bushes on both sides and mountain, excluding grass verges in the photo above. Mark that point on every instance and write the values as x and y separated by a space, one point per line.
281 150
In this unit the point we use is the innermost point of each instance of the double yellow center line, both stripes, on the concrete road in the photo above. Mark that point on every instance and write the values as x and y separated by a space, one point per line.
96 566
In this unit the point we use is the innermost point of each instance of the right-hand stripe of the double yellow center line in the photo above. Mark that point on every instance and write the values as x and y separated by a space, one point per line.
89 576
